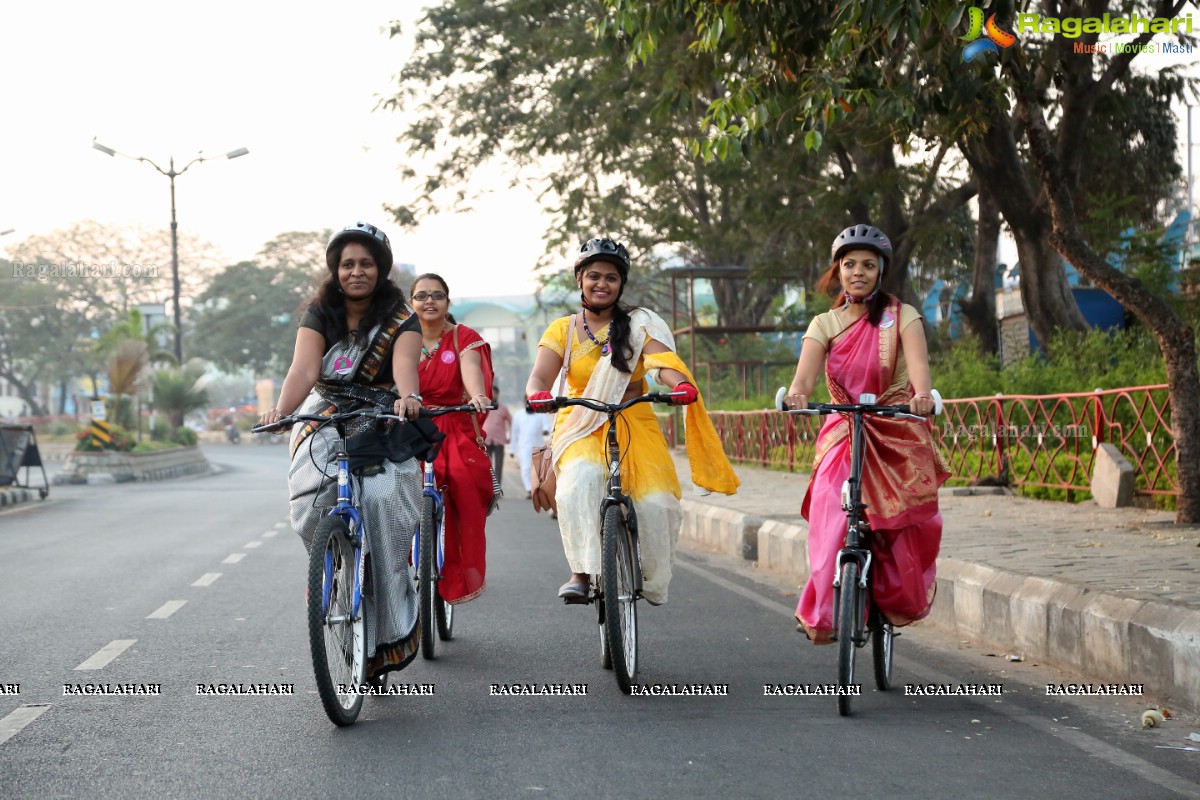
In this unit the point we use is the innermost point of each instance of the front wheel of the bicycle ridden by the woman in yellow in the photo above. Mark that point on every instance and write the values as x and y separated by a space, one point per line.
620 599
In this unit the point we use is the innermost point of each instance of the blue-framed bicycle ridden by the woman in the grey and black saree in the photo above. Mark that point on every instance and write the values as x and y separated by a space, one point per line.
337 625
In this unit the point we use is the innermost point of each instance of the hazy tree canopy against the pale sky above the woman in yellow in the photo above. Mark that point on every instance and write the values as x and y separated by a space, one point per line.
526 83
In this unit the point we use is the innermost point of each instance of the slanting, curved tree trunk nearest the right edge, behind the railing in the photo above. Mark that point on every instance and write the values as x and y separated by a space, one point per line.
1175 338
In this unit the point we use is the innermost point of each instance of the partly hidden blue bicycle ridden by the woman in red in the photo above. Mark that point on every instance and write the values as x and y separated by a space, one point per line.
429 552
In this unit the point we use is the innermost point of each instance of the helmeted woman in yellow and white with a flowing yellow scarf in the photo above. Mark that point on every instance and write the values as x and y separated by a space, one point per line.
615 350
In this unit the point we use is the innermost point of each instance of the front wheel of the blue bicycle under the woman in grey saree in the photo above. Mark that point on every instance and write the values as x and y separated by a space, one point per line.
339 649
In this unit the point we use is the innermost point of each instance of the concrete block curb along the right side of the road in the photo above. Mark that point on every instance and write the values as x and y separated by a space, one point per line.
1106 637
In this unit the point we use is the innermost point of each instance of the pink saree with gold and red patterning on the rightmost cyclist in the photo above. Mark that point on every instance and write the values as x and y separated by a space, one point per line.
902 473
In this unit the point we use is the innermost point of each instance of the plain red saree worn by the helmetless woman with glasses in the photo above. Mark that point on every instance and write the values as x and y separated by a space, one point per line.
461 467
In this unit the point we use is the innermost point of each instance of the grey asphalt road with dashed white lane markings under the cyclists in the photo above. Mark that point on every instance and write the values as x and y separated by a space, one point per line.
101 566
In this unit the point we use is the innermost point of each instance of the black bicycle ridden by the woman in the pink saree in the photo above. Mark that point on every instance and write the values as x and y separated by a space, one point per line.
853 580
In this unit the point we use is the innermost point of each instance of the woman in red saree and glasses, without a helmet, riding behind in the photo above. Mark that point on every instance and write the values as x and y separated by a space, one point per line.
457 369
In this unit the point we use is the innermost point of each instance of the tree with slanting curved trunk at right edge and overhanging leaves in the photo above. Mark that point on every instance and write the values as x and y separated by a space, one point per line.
1041 83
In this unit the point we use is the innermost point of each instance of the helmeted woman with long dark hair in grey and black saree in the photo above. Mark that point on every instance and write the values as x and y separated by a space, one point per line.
358 342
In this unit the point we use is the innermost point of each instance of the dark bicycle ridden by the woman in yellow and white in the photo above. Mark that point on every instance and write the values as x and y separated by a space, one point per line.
619 587
